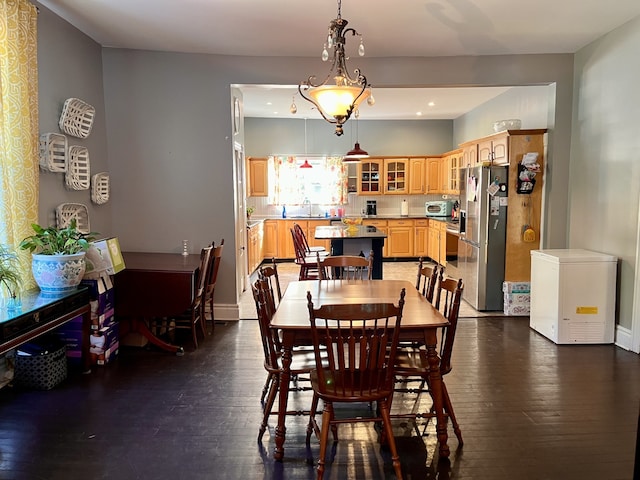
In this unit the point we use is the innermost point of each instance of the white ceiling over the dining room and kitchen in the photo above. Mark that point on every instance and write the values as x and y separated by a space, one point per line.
423 28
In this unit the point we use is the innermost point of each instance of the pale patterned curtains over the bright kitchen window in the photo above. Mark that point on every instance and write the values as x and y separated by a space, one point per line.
325 183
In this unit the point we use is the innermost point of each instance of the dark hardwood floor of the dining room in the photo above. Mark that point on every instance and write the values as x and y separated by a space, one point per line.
528 409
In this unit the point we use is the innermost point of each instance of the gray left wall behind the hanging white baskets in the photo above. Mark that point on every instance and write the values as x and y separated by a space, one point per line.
70 65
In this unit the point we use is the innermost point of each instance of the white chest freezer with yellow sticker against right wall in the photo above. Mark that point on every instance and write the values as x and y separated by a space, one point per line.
573 295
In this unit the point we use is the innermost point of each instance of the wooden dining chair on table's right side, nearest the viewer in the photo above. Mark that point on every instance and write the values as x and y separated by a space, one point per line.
411 362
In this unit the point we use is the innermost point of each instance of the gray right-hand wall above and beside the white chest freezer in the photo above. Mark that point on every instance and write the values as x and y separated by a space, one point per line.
605 154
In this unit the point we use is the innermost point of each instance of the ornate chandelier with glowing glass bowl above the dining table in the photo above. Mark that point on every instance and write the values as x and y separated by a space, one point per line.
337 102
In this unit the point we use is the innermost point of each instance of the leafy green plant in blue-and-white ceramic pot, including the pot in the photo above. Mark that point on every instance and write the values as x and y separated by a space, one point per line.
58 262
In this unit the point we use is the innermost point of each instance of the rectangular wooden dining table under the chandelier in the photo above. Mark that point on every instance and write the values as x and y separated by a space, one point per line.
420 323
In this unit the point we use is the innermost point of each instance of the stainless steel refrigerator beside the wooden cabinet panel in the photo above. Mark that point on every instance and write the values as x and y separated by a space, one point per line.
481 245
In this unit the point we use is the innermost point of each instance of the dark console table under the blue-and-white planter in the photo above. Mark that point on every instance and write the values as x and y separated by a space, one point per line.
42 313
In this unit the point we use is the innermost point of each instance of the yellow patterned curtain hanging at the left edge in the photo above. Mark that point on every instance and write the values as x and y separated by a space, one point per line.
18 126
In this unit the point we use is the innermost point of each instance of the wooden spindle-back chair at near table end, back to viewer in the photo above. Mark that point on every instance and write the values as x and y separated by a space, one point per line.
354 346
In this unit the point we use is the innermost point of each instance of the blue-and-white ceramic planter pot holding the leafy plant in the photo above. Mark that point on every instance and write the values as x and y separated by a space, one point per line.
56 274
